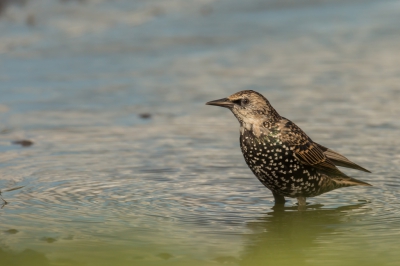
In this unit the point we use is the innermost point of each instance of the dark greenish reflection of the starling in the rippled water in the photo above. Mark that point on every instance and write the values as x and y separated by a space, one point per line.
285 235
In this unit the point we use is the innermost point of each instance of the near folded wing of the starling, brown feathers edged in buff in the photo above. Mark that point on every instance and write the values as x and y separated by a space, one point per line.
305 150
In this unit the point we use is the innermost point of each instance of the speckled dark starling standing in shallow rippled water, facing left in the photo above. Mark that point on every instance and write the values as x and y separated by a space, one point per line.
281 155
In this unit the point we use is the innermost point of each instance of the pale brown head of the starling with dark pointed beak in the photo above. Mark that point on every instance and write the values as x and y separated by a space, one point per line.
249 107
